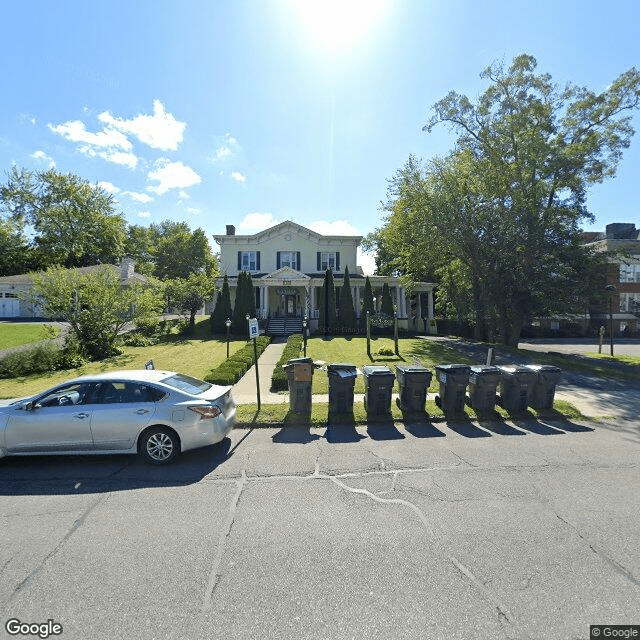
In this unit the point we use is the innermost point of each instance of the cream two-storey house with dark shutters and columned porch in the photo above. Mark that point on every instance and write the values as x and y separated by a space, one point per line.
287 264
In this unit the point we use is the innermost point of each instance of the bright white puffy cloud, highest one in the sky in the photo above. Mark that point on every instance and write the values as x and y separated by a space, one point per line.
159 131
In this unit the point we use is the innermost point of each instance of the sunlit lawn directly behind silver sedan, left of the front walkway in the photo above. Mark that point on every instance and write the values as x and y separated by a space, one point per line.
196 357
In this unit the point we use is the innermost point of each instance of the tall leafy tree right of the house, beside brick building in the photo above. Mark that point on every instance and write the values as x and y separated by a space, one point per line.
503 211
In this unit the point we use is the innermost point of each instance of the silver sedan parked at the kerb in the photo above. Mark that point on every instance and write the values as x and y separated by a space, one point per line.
156 414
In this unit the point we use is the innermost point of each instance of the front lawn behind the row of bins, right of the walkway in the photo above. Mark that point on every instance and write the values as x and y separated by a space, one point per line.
354 351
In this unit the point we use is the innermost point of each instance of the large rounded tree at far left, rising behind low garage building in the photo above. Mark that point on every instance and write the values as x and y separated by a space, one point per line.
74 222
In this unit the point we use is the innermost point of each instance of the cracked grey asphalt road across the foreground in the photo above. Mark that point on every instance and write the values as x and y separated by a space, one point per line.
519 530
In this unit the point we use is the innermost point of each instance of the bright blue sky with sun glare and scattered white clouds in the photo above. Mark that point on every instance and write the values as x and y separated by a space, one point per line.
251 112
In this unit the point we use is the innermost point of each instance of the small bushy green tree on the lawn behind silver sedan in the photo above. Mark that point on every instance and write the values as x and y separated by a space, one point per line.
95 304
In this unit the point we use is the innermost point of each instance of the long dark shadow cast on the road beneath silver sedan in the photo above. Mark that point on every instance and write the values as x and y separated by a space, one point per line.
65 475
